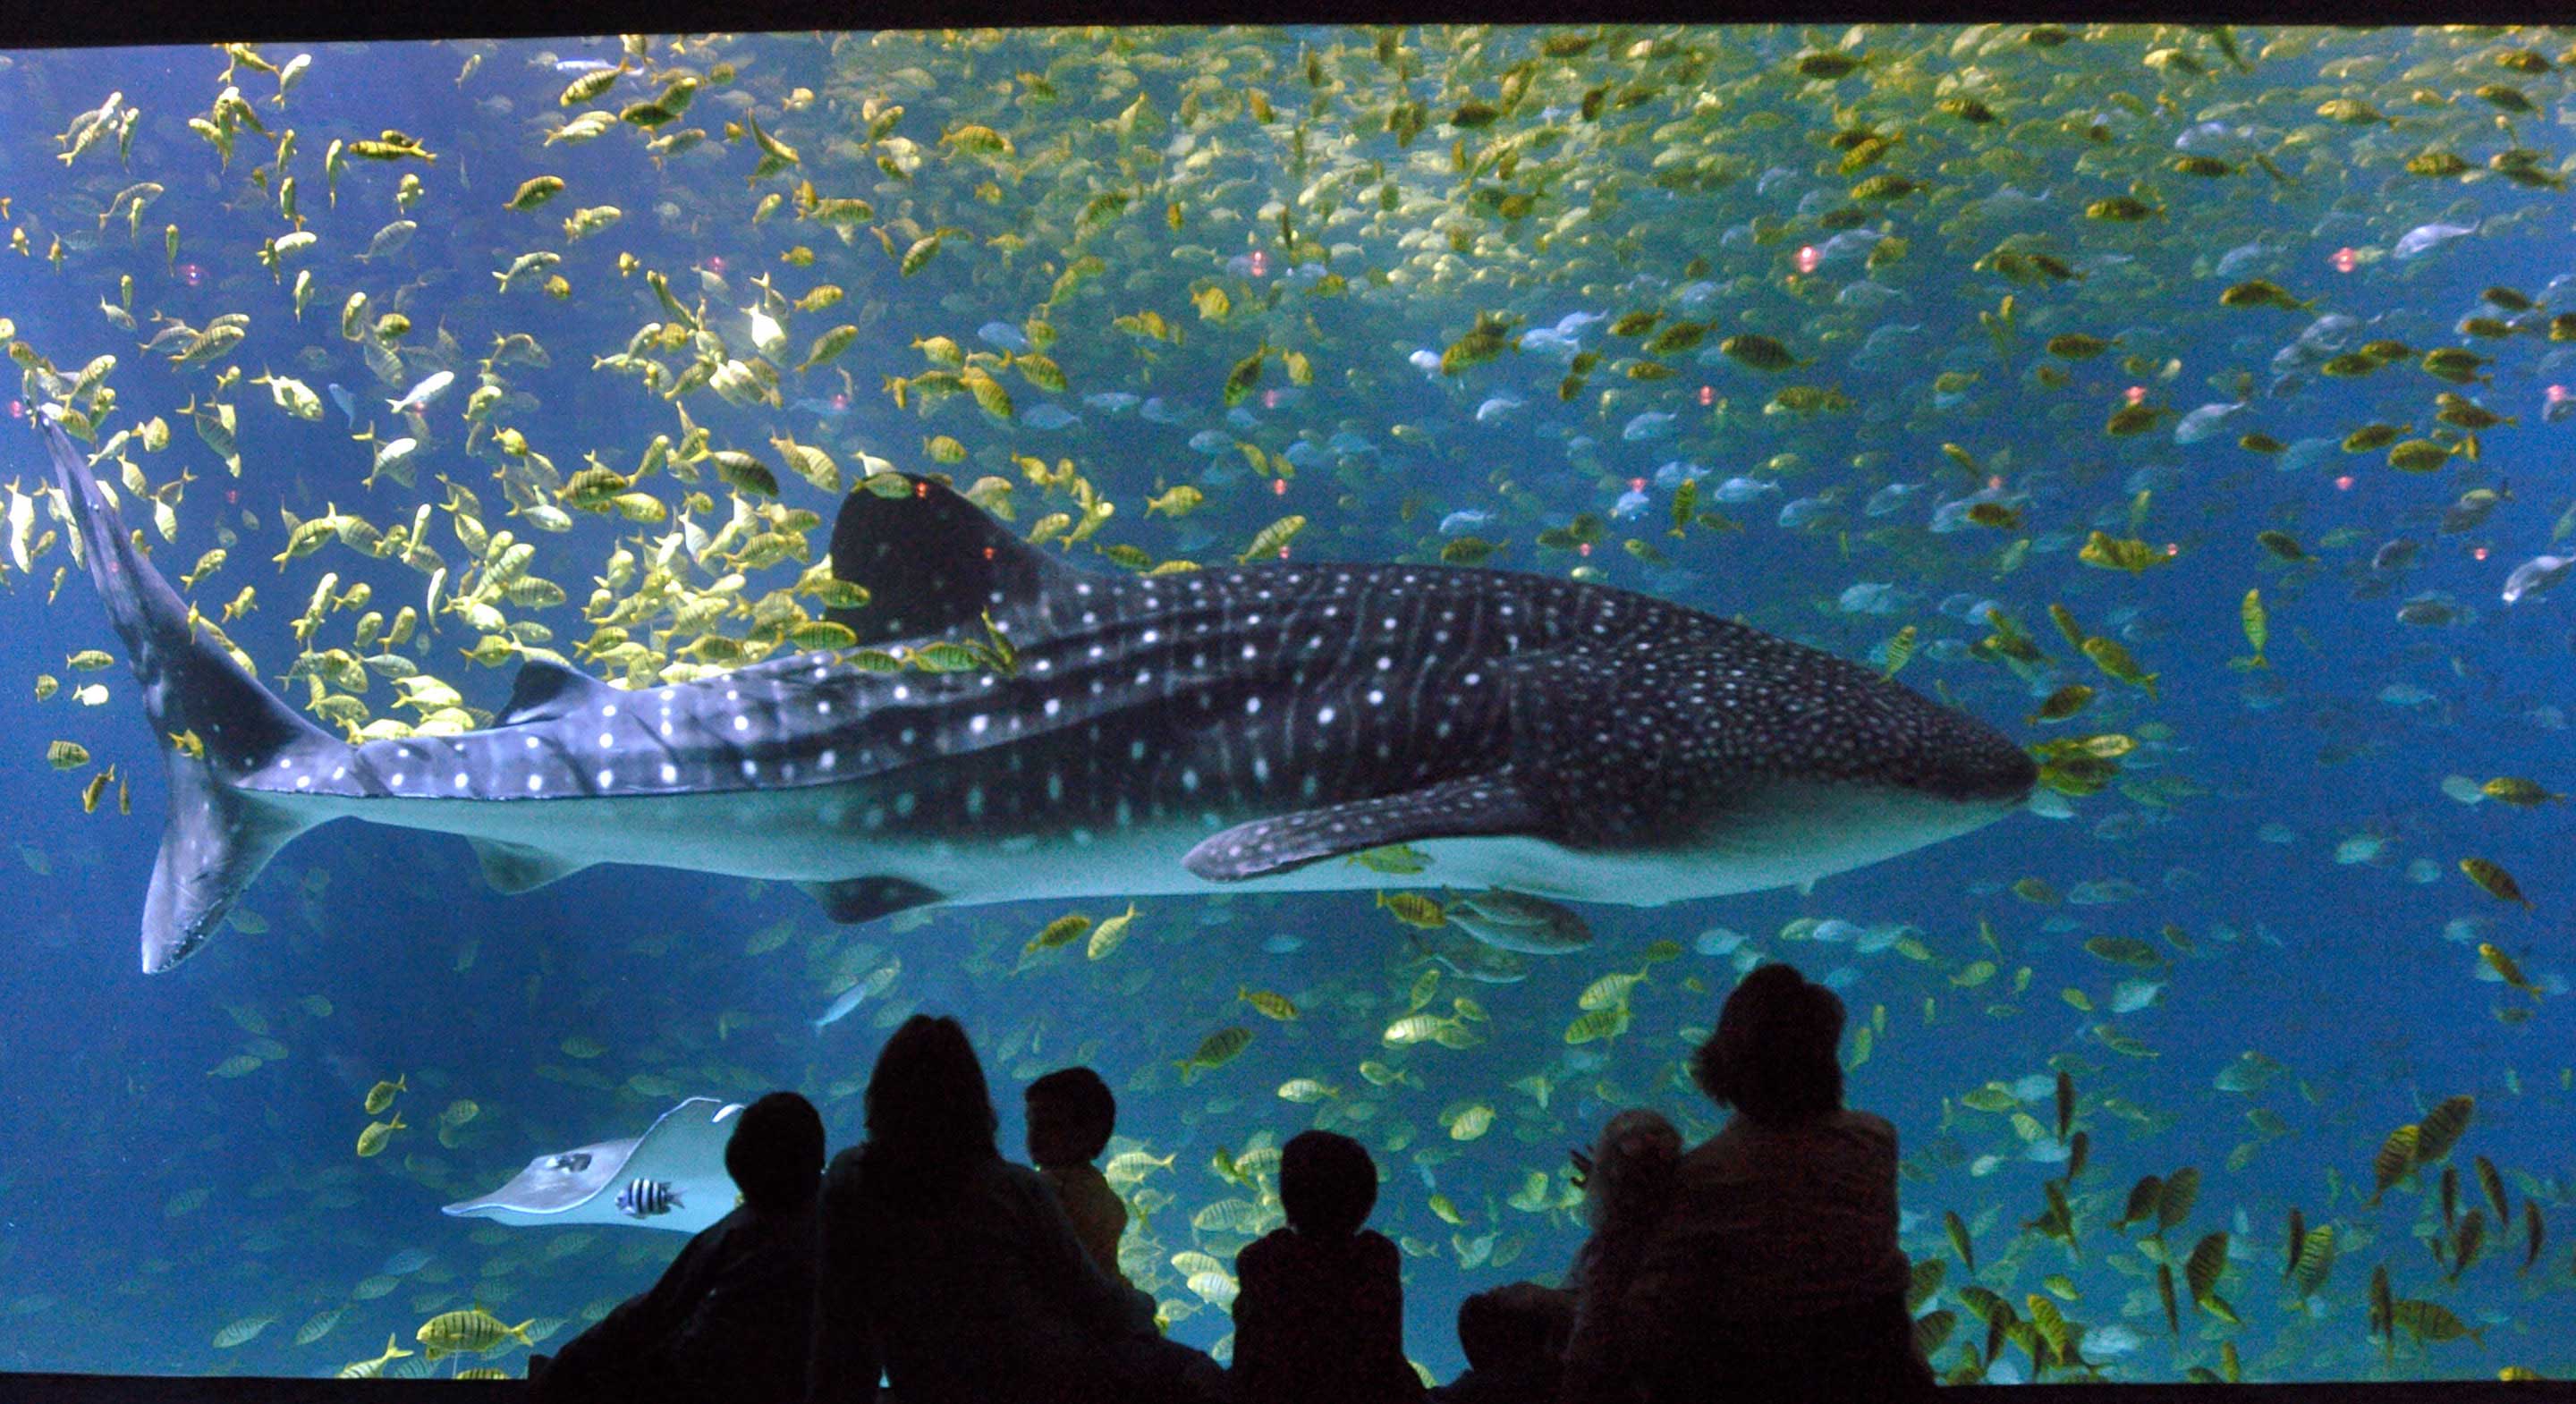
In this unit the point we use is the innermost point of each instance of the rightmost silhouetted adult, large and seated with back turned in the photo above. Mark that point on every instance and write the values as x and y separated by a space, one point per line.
1774 1274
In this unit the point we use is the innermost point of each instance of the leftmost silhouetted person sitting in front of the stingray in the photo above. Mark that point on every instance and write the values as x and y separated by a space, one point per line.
730 1315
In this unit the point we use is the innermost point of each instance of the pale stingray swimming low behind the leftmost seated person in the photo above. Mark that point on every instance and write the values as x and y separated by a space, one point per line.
684 1150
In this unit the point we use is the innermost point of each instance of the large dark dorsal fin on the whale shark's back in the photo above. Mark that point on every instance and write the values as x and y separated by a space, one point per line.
931 563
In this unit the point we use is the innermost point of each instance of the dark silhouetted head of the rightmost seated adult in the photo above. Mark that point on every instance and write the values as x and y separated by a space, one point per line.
1774 1052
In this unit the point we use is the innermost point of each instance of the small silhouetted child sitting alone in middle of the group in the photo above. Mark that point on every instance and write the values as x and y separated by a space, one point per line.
1323 1307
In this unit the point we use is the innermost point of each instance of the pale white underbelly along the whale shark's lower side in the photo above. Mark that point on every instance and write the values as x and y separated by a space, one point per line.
828 833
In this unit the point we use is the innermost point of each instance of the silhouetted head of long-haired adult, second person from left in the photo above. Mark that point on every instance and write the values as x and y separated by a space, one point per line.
929 1112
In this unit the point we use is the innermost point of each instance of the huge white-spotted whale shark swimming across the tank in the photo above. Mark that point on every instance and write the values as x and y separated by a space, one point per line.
1217 730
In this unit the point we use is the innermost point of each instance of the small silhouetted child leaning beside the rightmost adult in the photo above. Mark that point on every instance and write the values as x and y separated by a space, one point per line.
1627 1191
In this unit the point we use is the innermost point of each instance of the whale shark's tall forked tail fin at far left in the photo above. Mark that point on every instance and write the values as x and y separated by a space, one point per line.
215 725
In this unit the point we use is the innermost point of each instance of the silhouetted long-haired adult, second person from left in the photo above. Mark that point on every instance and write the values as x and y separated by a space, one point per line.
954 1274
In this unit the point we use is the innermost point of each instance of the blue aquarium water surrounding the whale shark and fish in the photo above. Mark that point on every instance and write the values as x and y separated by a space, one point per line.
2278 841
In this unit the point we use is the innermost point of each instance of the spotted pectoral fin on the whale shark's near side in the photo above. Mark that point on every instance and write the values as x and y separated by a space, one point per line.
1477 805
